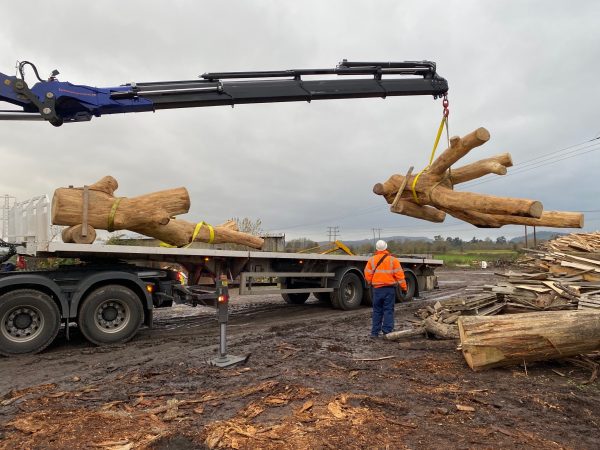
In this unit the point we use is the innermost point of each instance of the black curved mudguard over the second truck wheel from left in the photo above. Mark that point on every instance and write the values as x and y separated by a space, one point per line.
124 279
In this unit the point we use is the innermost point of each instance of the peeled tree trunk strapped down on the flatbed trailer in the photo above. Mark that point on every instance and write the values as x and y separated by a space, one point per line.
85 209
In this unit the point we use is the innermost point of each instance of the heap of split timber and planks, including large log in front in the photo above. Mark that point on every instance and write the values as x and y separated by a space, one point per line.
548 309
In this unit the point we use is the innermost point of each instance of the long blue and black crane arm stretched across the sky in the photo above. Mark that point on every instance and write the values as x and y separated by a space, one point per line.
59 102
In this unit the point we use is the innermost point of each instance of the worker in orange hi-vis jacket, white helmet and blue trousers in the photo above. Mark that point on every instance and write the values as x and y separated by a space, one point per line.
383 272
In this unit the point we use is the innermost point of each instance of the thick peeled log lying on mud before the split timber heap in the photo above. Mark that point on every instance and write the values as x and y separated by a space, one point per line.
494 341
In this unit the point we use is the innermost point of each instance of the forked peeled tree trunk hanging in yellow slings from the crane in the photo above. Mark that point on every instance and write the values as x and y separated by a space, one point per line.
430 194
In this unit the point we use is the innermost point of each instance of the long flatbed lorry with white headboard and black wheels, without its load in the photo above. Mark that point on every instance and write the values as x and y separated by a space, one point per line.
113 289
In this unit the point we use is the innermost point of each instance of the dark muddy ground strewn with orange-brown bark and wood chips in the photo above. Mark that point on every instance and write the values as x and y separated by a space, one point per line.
313 379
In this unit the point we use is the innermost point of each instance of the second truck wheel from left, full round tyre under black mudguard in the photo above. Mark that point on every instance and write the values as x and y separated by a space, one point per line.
111 314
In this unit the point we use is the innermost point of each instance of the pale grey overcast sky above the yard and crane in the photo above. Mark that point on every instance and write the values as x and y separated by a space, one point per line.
525 70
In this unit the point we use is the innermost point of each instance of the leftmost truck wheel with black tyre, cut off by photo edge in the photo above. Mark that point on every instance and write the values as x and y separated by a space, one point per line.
29 321
